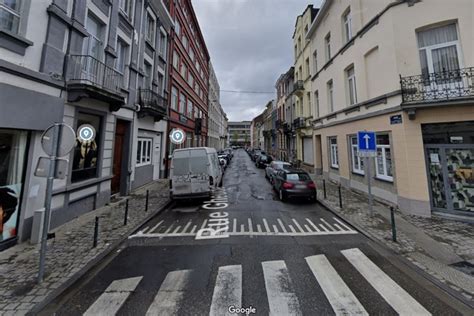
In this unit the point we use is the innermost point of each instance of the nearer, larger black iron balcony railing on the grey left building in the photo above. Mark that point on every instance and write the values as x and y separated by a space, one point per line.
89 70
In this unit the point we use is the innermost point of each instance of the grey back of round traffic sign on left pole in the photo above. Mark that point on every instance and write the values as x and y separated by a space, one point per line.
66 140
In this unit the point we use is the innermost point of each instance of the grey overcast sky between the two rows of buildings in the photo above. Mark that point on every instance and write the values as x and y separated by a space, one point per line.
250 46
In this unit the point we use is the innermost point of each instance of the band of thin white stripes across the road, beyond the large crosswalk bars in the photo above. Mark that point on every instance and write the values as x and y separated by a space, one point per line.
249 227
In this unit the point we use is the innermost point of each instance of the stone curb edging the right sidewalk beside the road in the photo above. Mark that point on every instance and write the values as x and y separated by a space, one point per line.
453 293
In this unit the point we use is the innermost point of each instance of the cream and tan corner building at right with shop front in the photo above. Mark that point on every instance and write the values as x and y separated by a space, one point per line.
409 82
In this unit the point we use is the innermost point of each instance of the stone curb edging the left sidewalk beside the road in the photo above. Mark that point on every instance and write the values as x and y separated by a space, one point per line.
71 281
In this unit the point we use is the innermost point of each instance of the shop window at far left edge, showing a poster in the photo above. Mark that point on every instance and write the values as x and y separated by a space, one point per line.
12 162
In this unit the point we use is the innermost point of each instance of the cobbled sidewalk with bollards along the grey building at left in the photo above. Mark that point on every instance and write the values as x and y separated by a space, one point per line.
70 254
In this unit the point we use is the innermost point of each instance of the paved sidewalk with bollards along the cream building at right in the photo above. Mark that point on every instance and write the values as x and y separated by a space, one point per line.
441 247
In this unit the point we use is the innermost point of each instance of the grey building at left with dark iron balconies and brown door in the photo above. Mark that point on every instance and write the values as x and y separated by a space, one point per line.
91 63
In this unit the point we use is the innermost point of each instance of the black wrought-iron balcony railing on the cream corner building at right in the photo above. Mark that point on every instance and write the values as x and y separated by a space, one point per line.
438 86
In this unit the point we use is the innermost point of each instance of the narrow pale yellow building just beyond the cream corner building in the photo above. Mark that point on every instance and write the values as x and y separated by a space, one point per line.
302 88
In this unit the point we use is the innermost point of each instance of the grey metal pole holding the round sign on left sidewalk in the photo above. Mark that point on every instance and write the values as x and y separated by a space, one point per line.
48 198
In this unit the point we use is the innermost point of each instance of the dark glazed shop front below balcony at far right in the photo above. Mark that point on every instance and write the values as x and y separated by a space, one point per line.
449 152
